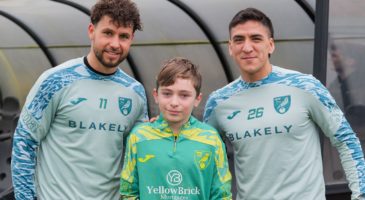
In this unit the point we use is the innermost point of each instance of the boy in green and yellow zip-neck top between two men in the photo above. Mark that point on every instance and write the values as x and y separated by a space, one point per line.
177 156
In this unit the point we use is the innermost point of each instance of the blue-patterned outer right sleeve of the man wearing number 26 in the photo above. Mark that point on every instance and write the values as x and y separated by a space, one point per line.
331 120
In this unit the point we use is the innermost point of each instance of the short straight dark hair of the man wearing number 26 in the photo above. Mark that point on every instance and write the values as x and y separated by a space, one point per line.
252 14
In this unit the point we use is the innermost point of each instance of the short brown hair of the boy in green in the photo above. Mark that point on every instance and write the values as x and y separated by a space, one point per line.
179 67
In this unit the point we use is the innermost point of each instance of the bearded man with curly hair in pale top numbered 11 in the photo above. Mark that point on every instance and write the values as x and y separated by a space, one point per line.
69 139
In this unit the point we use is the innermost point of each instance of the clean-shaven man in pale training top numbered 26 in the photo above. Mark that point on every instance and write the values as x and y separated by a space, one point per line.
271 116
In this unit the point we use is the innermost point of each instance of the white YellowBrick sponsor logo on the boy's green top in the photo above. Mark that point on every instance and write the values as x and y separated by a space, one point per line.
174 178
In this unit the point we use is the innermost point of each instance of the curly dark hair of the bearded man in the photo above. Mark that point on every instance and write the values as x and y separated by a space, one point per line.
123 13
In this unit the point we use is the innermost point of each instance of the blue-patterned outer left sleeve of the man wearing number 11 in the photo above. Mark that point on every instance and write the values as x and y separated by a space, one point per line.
33 126
